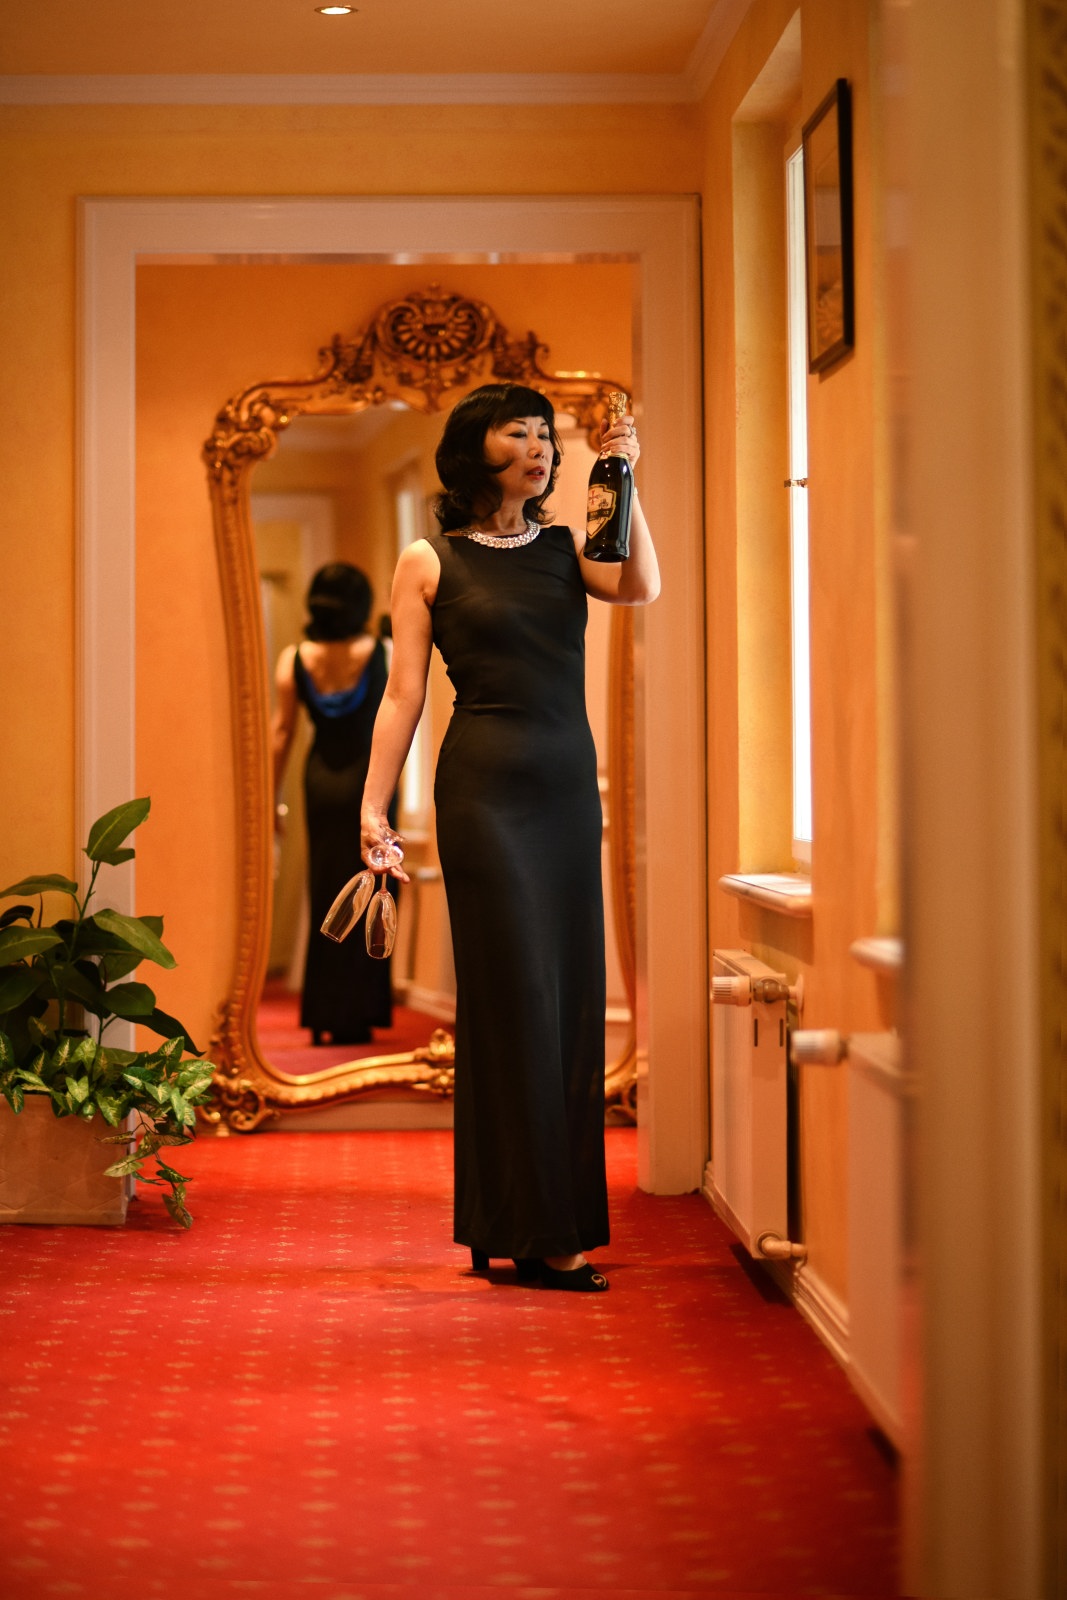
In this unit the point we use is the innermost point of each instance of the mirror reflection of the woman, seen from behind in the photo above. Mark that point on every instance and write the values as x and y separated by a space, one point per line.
338 676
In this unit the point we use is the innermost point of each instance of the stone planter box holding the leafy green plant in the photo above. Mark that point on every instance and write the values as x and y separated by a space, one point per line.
52 1170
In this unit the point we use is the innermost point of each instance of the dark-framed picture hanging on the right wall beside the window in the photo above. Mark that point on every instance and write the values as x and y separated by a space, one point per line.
828 145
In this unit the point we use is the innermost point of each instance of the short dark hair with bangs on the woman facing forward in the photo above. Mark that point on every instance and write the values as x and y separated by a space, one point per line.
468 479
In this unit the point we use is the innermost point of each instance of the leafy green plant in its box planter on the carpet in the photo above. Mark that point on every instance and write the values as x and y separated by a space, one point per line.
62 988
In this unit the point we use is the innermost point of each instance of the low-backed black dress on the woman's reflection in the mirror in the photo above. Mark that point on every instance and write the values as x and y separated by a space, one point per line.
346 993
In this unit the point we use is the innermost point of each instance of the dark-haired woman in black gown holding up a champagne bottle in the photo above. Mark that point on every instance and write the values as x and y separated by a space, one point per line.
505 599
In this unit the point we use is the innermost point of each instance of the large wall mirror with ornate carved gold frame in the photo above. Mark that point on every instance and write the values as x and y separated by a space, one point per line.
340 466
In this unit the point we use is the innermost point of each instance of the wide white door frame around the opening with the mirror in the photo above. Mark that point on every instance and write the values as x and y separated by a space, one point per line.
661 236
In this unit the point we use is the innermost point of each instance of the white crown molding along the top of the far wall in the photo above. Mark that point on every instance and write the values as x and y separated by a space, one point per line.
340 89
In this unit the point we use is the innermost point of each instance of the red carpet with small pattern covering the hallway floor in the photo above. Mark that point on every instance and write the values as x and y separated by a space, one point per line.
313 1394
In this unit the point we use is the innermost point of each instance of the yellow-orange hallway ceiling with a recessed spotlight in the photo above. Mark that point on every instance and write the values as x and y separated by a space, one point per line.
74 38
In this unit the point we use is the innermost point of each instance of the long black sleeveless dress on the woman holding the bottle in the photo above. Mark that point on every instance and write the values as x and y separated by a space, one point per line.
519 830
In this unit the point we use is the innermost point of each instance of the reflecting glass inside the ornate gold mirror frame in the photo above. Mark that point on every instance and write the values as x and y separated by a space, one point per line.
354 490
